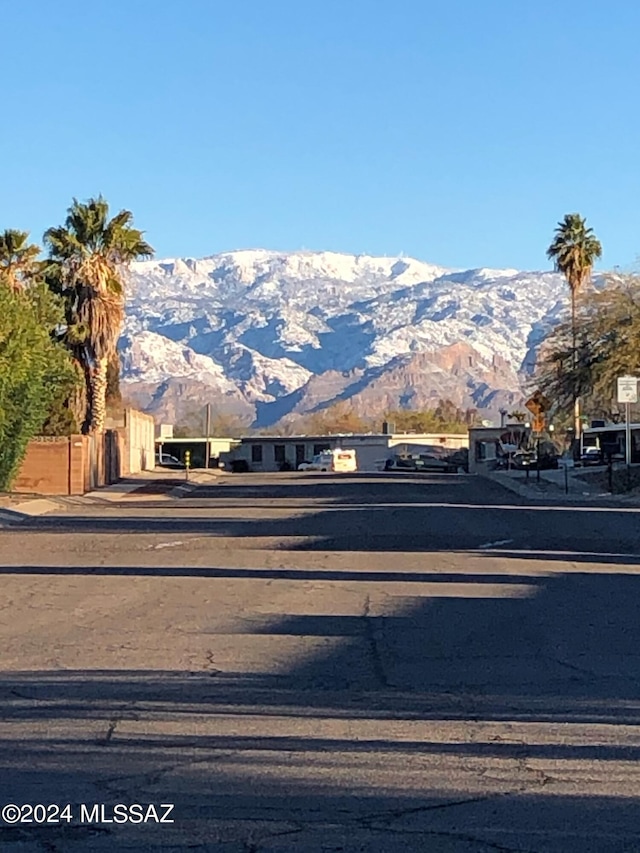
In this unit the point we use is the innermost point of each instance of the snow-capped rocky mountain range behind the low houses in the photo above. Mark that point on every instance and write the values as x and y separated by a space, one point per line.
268 335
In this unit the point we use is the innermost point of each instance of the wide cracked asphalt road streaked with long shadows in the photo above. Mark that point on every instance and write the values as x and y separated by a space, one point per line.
317 663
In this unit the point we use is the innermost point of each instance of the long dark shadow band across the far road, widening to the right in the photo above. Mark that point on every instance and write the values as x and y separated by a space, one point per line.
392 526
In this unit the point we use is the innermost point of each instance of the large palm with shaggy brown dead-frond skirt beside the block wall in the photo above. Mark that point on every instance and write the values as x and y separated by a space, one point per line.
89 256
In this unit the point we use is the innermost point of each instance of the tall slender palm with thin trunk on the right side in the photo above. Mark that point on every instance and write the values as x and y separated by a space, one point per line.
574 251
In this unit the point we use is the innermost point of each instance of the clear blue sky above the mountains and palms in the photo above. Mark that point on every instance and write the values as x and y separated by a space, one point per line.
456 131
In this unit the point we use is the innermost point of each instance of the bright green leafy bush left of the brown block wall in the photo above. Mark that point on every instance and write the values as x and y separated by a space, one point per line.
35 372
